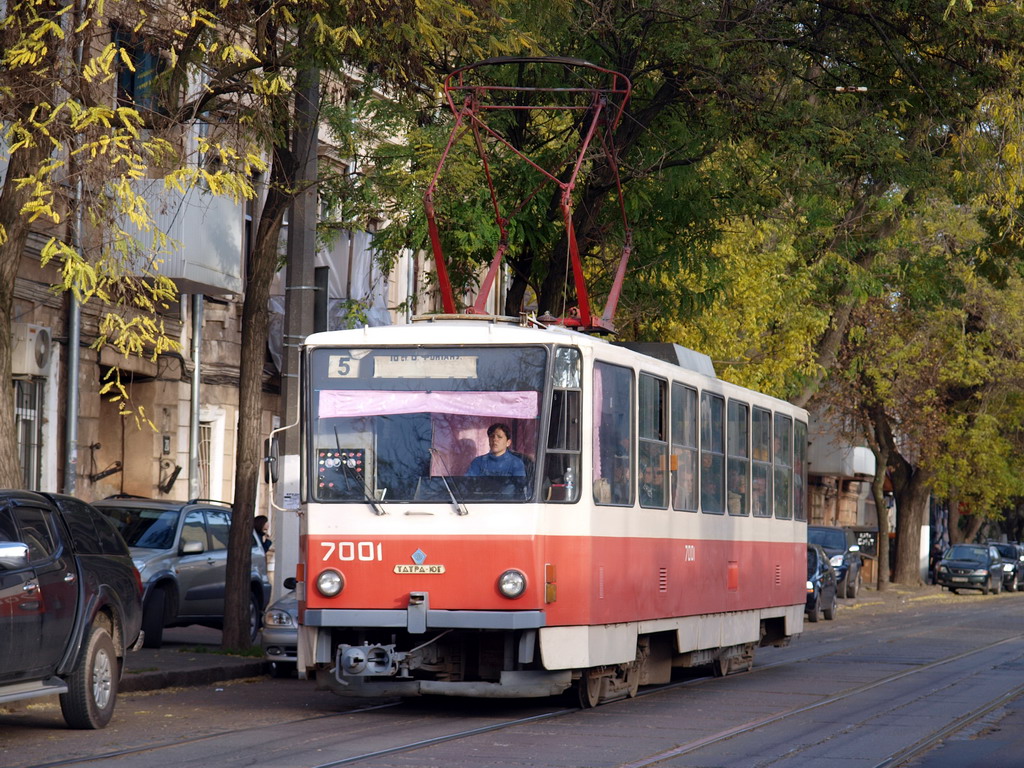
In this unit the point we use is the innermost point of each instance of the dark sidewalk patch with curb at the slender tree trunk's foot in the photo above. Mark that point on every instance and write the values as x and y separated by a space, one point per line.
191 656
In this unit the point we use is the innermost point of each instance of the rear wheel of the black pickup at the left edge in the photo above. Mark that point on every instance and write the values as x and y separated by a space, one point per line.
93 686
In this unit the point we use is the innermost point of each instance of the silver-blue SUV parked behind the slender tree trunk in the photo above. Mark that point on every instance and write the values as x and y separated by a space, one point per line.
181 548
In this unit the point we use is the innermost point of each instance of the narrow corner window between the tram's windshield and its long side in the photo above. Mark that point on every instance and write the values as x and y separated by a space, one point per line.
563 467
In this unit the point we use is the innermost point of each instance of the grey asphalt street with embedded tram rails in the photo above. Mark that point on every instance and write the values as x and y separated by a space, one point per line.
882 678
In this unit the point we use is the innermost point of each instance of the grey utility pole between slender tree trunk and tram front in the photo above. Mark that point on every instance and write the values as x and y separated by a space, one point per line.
300 303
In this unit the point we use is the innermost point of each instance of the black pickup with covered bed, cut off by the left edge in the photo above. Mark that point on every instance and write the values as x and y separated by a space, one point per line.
71 606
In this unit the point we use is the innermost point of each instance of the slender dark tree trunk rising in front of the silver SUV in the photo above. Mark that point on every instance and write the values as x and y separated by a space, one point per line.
255 328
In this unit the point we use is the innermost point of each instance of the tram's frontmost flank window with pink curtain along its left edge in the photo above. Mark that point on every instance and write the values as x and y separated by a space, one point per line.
613 435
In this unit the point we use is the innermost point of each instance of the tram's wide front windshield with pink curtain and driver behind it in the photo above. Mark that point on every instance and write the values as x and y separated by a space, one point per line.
409 424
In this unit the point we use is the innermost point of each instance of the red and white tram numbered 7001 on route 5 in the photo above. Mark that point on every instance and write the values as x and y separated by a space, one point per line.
660 522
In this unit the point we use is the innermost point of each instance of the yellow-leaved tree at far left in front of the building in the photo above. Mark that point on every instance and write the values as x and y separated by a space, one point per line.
77 155
